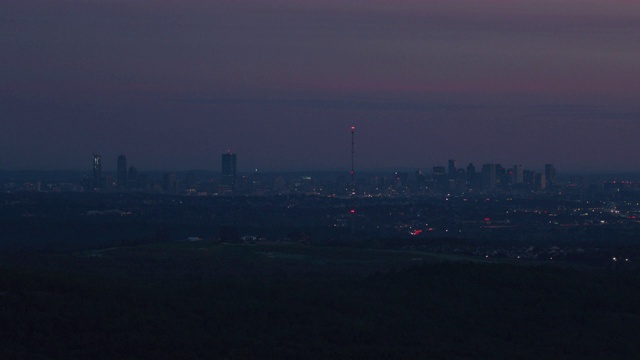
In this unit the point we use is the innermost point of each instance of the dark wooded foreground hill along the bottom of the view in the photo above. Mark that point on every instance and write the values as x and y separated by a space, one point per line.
207 301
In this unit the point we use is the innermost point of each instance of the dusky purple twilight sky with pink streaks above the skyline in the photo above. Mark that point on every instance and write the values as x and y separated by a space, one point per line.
174 83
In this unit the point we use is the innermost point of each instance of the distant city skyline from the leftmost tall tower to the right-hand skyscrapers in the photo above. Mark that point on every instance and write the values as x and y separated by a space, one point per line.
452 178
